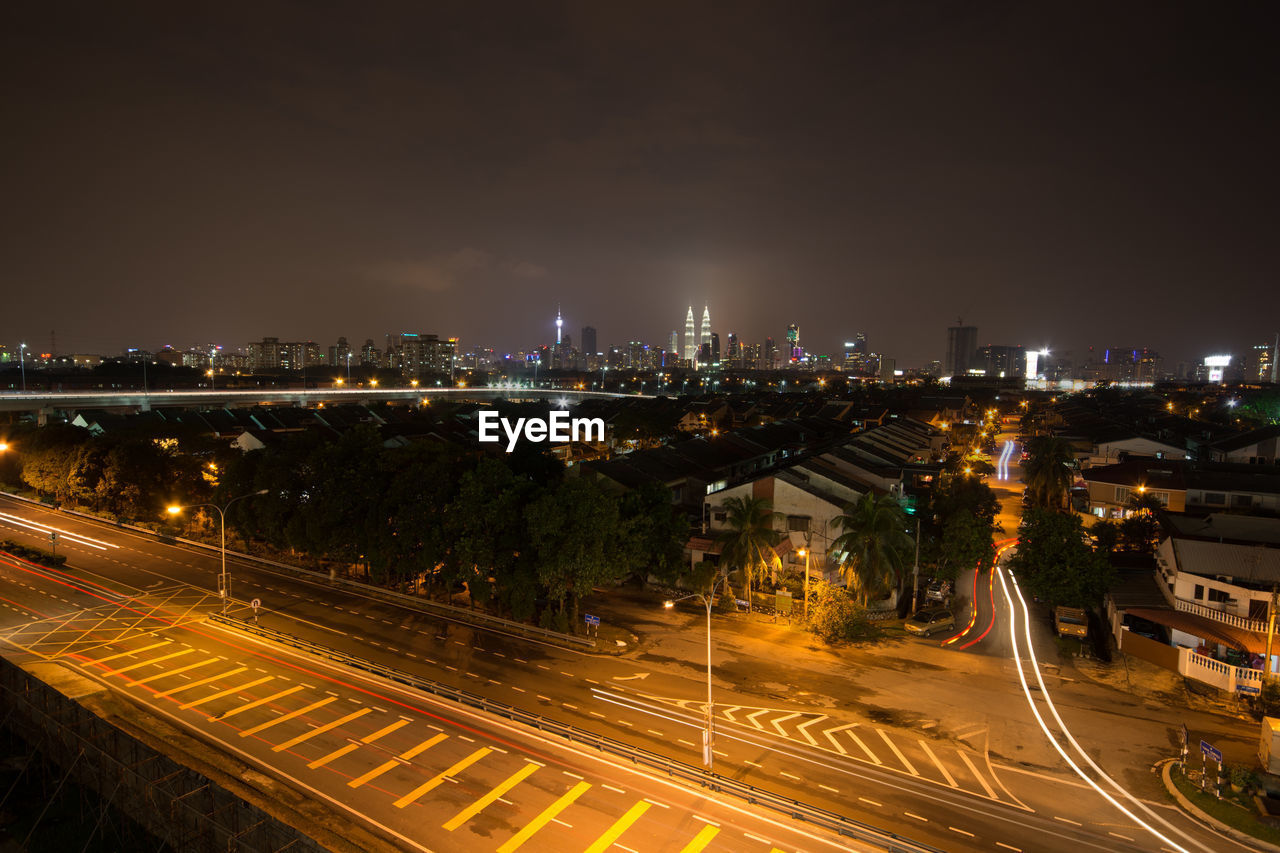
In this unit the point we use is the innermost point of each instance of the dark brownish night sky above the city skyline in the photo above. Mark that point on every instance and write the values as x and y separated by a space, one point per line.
1091 175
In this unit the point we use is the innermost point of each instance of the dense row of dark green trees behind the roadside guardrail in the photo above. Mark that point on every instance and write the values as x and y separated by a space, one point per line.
511 531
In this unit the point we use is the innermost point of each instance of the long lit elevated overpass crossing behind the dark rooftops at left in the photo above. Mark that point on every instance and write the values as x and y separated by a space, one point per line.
48 403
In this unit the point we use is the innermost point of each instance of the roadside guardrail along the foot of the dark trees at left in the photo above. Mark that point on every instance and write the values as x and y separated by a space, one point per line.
413 603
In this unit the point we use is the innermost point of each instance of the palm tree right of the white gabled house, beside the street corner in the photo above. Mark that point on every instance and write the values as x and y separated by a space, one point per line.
874 550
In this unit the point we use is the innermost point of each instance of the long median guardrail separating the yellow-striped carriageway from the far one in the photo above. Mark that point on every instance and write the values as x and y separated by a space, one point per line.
844 827
